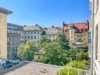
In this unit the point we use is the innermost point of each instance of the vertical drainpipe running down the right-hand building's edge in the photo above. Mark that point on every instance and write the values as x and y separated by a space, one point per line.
92 41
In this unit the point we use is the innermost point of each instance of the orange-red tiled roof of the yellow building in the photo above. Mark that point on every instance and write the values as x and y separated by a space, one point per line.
77 26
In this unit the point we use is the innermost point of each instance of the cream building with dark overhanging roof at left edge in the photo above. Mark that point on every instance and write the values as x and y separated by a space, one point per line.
3 32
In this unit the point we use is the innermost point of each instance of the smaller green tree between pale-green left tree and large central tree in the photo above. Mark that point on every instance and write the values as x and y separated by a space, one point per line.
43 41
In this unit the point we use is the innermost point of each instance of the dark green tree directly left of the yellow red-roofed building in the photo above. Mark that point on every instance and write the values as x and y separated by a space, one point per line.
61 39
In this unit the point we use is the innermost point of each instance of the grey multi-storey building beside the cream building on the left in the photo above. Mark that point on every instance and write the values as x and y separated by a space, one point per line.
13 39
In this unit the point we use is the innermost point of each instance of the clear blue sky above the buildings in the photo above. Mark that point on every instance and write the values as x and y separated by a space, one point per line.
46 12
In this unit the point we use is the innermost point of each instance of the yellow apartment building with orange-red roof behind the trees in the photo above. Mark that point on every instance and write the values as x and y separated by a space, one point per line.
77 33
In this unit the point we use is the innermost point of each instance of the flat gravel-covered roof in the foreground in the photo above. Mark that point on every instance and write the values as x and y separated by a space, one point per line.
35 68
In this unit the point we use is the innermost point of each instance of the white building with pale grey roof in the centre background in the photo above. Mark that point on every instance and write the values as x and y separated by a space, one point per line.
52 32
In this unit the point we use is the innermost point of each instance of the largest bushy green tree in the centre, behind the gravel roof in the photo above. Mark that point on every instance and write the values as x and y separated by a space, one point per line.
54 54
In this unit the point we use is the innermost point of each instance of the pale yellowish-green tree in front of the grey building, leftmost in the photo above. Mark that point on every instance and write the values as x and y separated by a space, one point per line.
27 51
